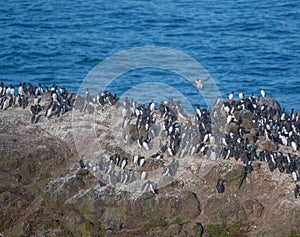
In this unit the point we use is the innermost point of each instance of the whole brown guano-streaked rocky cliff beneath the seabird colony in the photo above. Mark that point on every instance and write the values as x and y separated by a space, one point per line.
43 192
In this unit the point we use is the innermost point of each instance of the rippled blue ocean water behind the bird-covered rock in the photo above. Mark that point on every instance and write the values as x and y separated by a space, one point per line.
243 45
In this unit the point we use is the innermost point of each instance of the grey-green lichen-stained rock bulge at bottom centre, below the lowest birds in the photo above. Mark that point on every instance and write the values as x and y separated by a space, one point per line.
108 208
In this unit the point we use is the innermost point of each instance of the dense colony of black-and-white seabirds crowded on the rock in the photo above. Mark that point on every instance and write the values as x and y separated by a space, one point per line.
235 129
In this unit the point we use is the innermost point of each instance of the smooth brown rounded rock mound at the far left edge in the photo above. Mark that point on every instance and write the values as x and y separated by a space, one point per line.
29 156
